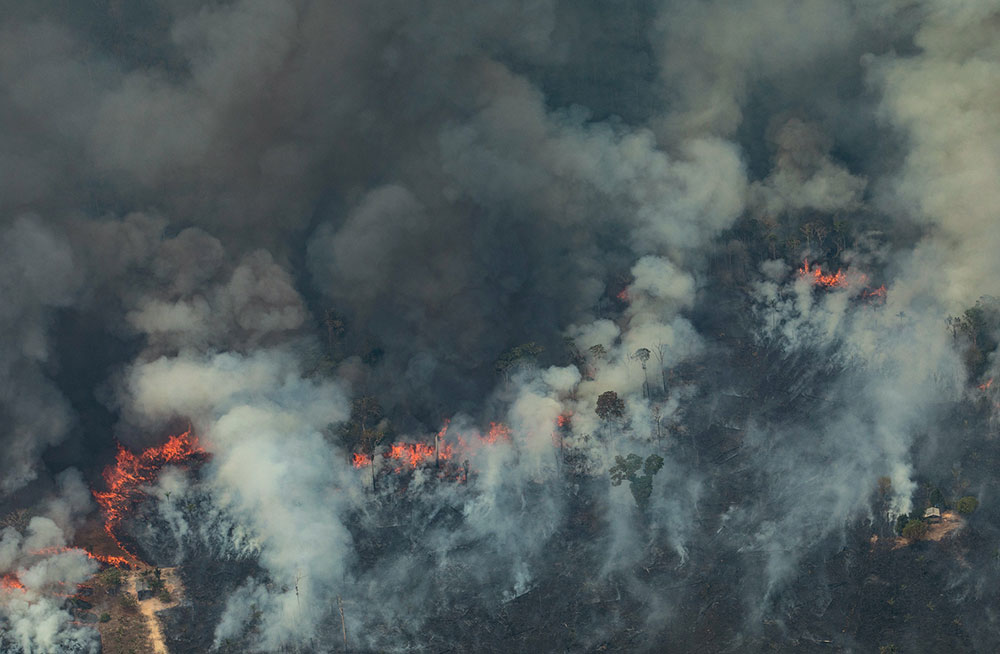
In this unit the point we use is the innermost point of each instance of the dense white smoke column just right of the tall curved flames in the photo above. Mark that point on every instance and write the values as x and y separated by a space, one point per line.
272 472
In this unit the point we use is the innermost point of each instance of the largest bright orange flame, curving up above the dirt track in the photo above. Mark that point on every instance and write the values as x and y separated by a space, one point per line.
126 479
